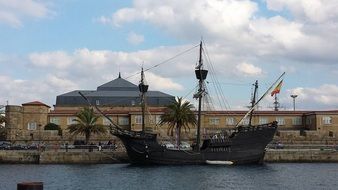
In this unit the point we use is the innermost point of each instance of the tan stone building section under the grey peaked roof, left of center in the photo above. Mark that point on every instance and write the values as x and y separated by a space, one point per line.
119 99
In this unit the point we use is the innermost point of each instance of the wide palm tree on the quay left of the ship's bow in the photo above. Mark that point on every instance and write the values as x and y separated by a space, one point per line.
86 124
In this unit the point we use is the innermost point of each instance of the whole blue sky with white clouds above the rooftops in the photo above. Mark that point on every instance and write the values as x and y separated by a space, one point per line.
51 47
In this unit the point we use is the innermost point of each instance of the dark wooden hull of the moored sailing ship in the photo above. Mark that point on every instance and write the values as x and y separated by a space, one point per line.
244 146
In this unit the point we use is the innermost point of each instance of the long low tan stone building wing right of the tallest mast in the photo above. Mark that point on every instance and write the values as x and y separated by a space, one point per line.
296 125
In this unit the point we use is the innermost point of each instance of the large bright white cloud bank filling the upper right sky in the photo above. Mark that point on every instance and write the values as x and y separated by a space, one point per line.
235 25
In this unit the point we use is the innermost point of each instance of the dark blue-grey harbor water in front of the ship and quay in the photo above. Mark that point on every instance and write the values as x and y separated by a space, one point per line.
125 176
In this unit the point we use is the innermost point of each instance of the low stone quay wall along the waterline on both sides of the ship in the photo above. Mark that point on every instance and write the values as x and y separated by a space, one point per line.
97 157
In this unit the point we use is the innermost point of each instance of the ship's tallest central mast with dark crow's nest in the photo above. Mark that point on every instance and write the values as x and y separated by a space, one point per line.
201 75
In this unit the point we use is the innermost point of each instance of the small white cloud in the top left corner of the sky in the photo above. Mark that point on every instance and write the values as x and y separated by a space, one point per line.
13 12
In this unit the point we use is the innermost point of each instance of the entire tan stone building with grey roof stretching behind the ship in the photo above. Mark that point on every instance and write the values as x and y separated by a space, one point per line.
119 100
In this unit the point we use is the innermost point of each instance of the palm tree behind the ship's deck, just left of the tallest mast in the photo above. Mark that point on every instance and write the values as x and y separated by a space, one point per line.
178 115
